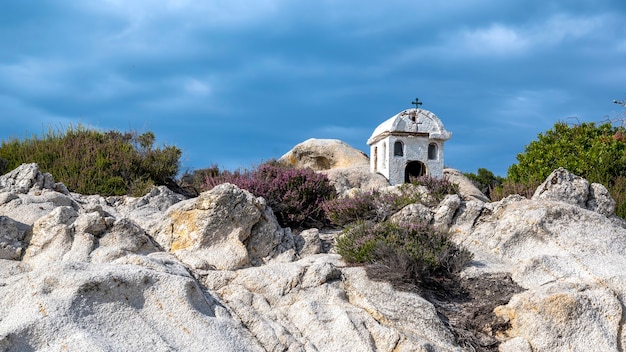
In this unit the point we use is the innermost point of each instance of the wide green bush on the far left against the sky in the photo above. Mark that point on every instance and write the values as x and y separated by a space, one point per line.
88 161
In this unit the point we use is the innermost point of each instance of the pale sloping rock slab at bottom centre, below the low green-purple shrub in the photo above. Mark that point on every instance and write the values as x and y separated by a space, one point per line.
316 304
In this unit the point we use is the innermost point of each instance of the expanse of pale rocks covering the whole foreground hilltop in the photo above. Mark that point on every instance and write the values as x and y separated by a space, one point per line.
217 273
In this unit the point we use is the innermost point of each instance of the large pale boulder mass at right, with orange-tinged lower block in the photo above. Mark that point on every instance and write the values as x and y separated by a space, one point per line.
567 256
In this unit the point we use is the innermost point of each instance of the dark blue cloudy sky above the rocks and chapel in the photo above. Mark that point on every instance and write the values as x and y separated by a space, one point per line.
237 82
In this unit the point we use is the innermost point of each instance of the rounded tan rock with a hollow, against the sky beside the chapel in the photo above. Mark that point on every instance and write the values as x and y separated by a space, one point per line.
324 154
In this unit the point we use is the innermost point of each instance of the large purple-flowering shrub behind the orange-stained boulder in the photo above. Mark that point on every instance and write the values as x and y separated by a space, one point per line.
295 195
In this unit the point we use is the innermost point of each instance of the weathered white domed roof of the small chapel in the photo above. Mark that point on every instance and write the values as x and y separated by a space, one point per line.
416 122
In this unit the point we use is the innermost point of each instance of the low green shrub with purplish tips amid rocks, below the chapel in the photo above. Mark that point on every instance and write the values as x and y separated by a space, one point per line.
405 252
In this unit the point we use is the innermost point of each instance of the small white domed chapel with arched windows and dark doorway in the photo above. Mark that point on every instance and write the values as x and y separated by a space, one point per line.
409 144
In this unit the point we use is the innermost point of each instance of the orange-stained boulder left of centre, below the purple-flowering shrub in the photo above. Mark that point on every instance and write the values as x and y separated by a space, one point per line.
226 228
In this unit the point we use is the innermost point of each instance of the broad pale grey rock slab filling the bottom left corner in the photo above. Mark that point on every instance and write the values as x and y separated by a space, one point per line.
114 307
